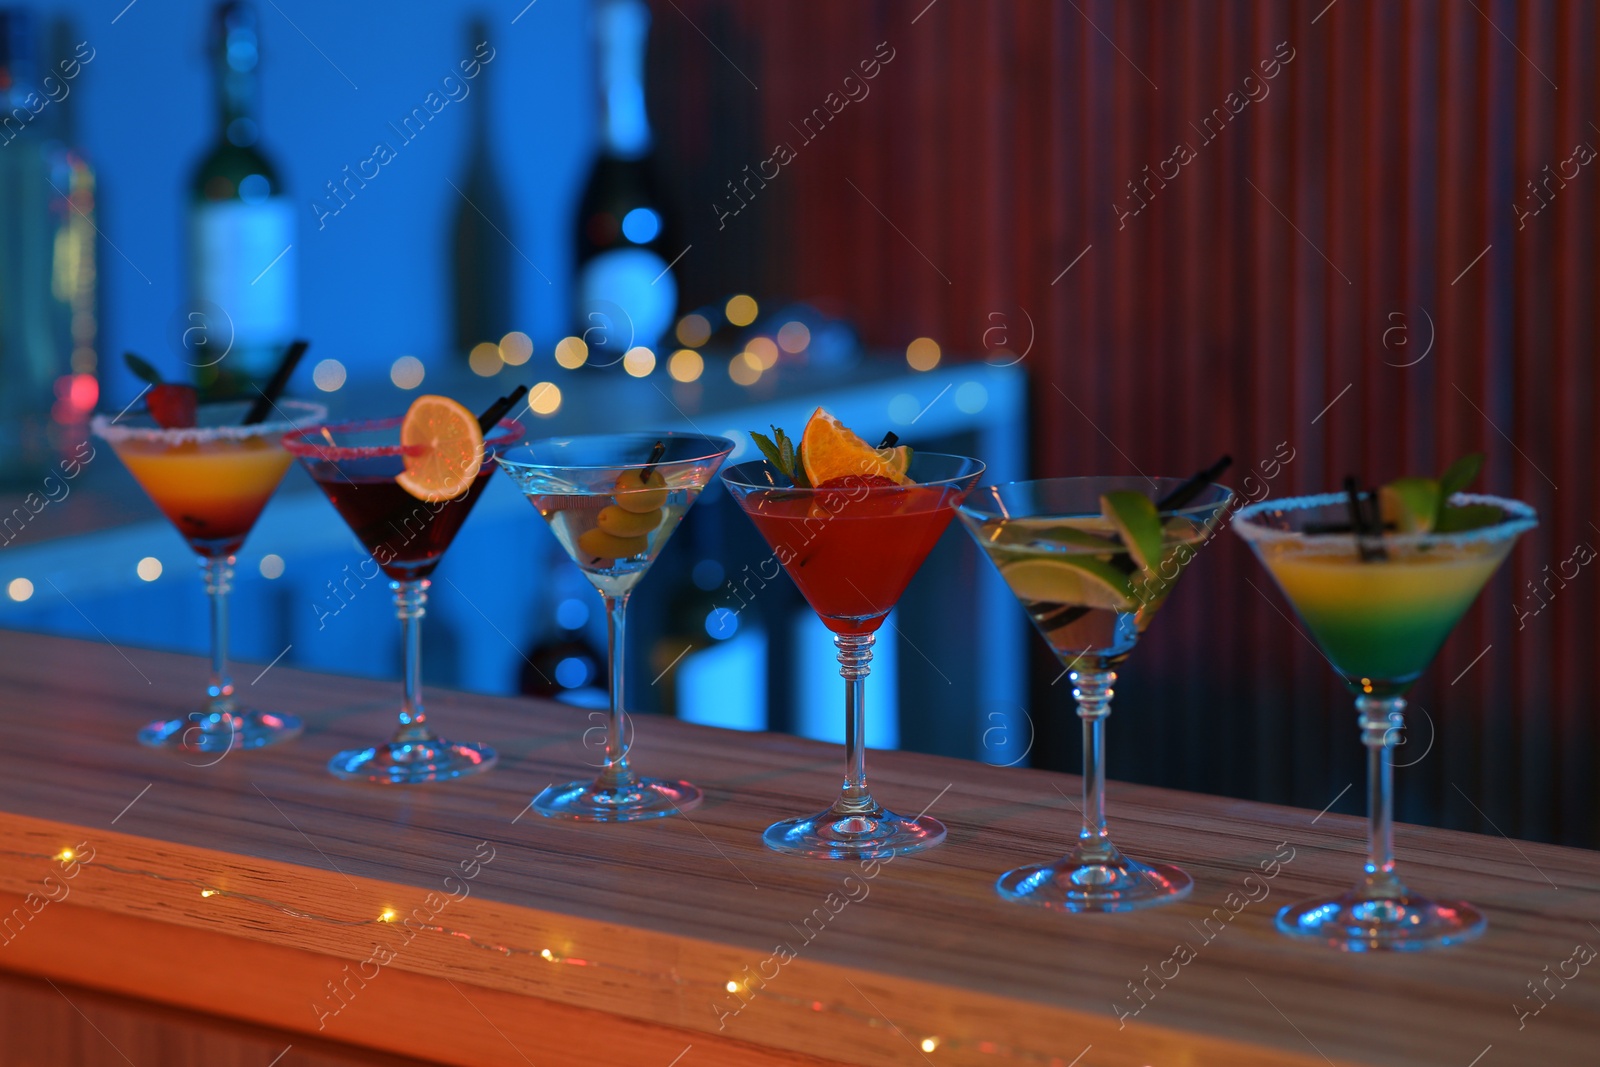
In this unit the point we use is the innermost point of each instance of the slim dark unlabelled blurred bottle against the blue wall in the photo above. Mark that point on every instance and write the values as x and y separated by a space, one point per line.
482 257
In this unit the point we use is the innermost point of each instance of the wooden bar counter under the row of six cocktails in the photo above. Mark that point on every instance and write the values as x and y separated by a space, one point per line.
449 924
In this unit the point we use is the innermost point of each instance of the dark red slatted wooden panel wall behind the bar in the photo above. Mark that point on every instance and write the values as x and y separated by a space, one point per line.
1342 266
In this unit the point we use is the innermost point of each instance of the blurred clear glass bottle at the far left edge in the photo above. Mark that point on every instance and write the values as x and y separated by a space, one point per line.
49 314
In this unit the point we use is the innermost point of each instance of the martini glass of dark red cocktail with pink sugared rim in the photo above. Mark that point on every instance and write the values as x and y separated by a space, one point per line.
356 466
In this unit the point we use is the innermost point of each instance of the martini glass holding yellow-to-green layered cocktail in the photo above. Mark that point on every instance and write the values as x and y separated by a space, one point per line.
1380 612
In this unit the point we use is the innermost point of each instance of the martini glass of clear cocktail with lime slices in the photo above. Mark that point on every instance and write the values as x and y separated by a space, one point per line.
1090 602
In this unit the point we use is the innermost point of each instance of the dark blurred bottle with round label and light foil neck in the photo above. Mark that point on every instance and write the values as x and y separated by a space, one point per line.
626 292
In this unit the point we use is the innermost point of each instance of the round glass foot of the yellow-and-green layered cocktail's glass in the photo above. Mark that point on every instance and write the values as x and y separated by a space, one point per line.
1404 924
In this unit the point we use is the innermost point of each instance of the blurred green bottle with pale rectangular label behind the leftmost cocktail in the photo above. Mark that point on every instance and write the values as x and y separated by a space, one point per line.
242 265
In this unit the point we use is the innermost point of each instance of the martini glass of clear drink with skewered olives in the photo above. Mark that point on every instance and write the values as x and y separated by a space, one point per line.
614 502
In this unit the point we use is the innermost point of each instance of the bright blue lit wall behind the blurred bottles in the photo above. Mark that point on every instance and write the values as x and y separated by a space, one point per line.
375 281
